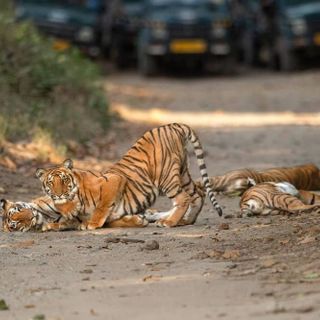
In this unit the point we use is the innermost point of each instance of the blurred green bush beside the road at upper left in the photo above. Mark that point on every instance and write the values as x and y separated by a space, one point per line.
41 88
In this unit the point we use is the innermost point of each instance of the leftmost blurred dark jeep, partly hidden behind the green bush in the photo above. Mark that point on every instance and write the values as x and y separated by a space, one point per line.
84 23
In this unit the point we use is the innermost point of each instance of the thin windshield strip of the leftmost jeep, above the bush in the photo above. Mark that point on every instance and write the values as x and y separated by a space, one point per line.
94 5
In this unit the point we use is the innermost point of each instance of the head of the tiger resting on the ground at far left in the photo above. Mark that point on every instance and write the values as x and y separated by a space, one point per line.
18 216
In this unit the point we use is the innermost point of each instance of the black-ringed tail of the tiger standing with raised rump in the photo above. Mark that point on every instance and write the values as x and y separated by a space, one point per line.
198 150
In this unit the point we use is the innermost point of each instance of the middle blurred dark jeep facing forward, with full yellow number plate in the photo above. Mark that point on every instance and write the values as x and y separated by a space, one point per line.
185 30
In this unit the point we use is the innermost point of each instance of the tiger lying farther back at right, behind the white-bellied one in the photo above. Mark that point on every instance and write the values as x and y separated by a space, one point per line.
234 183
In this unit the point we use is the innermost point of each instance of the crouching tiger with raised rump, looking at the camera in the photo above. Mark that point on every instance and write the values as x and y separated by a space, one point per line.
155 165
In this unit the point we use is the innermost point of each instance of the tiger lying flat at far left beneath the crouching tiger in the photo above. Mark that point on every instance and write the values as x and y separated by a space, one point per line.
39 215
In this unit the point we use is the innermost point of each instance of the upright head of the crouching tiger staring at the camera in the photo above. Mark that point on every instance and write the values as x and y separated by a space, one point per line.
59 182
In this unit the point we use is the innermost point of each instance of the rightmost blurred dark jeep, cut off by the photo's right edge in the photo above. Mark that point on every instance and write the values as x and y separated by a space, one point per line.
292 32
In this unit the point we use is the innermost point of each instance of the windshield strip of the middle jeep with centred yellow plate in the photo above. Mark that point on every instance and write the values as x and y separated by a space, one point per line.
210 5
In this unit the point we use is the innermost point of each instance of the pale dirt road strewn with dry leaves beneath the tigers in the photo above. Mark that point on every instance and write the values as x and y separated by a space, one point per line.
235 268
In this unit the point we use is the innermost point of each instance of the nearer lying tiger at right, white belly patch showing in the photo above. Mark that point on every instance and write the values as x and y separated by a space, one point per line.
274 198
